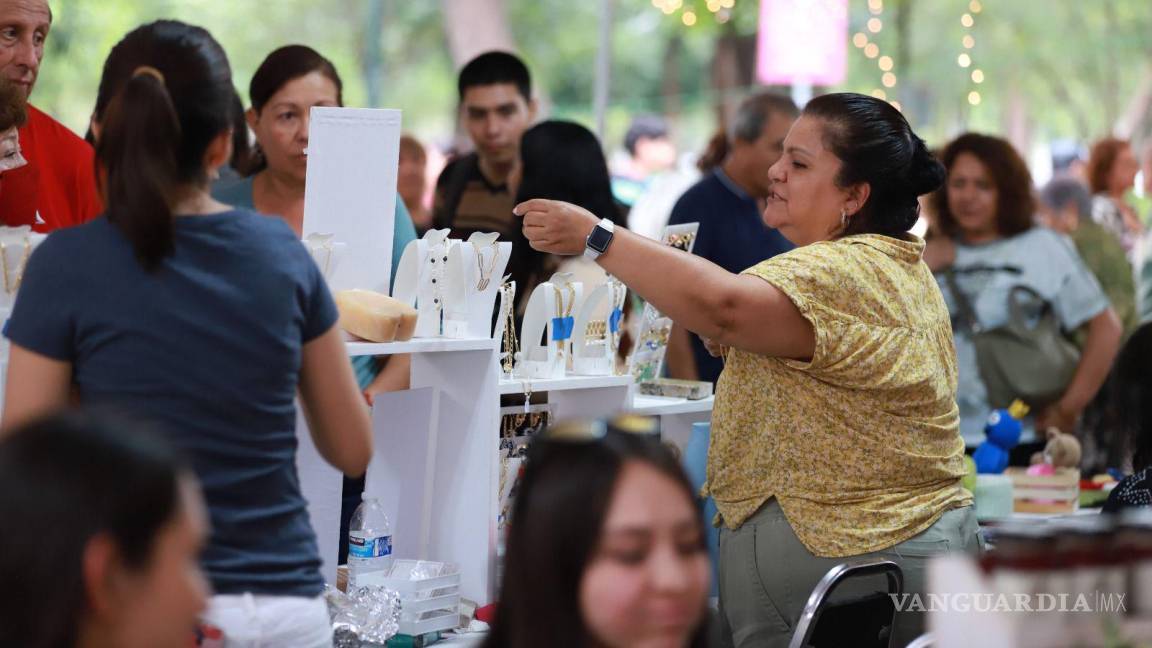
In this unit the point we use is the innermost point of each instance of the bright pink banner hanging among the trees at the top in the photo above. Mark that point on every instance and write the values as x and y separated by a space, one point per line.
802 42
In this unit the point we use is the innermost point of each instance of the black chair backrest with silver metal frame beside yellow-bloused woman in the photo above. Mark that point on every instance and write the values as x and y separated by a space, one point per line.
863 622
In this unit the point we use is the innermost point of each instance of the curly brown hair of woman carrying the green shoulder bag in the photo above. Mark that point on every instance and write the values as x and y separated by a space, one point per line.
1015 202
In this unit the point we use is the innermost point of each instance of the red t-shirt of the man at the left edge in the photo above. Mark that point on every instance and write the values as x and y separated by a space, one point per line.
57 189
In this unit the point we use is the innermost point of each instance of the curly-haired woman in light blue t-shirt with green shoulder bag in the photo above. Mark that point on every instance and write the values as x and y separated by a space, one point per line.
987 239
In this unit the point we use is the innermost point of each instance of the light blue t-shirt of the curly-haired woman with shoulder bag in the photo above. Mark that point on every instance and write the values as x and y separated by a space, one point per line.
1039 259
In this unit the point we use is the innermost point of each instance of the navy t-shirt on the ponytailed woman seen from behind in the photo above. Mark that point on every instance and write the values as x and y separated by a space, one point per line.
209 348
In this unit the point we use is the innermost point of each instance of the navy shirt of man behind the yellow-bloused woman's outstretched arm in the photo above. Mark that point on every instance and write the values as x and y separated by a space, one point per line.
732 236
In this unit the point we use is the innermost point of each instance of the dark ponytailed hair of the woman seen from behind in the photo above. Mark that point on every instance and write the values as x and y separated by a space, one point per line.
165 94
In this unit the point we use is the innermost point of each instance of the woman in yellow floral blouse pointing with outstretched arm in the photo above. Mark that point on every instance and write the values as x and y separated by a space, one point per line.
836 431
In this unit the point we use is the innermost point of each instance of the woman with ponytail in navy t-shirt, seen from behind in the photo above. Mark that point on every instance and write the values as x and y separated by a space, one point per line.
206 319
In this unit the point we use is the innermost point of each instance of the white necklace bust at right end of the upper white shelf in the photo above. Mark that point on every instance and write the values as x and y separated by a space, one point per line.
475 269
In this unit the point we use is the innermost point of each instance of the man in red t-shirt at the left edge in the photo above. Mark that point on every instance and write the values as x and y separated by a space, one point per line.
58 186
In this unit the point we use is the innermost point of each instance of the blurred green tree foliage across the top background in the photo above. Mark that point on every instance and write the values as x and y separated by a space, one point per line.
1054 70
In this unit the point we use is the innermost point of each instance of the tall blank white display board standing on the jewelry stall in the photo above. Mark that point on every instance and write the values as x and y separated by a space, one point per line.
351 192
